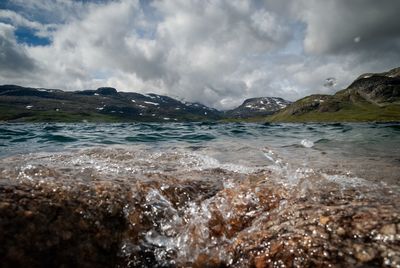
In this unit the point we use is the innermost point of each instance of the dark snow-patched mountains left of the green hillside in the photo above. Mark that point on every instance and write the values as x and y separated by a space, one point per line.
107 104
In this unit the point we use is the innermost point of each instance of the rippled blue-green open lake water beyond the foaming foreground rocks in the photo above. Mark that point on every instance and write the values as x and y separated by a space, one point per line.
371 151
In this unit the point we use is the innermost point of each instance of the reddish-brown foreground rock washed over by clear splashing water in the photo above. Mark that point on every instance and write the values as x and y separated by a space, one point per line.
68 215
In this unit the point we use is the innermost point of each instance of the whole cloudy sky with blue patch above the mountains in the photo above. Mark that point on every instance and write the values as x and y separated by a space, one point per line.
216 52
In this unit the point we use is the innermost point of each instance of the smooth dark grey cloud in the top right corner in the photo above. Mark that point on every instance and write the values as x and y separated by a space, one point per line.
341 26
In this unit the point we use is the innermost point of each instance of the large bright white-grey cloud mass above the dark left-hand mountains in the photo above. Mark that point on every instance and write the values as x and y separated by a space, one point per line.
190 49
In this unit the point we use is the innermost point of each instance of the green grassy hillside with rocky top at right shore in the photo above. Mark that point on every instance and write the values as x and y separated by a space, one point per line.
371 97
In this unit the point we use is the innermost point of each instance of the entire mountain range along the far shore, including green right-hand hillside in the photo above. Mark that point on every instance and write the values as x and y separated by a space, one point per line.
371 97
